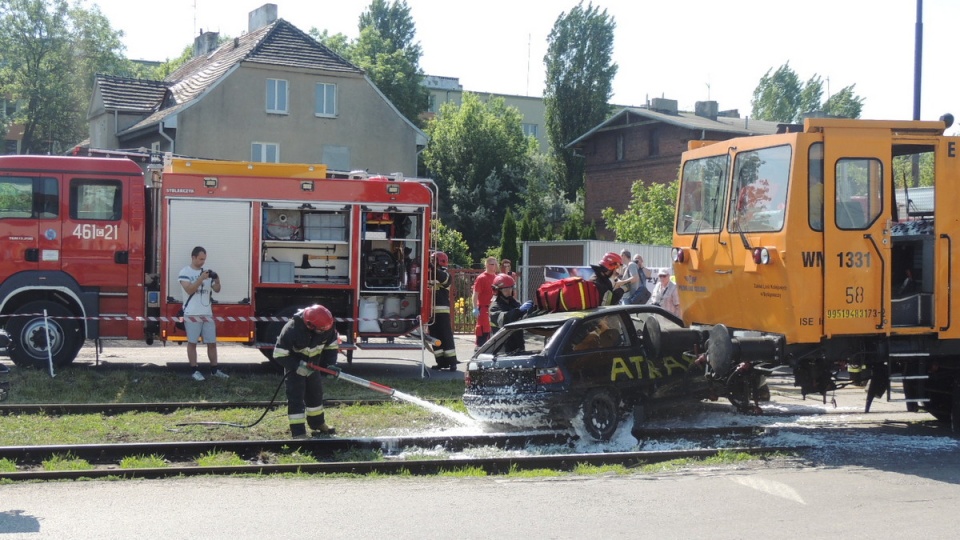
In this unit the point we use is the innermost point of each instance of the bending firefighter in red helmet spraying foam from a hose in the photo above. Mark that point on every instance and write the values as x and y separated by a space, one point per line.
308 337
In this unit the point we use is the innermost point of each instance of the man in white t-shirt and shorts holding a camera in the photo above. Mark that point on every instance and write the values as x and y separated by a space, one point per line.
199 285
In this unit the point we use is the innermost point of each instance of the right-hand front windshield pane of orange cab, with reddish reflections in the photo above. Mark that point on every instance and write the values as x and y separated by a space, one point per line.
760 190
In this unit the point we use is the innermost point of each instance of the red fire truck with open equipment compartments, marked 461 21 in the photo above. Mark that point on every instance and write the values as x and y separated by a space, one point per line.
91 247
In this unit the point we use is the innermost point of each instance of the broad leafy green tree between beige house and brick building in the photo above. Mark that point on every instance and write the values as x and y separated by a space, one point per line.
476 154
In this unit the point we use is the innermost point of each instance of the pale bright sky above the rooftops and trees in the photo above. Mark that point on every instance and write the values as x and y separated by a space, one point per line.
687 50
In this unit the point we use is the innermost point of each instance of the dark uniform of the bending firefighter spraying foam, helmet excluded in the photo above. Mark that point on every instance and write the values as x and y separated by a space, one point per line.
298 343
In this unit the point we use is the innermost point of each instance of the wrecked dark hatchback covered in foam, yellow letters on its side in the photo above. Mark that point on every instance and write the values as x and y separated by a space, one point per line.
594 366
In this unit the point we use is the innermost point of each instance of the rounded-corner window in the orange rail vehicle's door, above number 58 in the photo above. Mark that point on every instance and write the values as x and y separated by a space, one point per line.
859 192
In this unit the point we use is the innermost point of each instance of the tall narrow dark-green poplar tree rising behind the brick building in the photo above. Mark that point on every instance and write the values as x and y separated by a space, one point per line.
580 74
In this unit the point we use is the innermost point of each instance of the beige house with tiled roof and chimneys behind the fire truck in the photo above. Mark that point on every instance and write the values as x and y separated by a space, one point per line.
272 94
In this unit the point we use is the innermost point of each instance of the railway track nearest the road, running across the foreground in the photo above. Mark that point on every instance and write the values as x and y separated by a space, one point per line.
106 458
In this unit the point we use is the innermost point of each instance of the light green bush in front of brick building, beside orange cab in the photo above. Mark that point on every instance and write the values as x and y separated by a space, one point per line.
649 217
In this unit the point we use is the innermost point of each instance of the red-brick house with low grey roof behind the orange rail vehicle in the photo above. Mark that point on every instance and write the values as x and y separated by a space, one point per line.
645 143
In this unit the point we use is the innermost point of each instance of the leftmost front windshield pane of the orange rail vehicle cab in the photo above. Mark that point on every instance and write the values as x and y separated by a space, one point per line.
703 192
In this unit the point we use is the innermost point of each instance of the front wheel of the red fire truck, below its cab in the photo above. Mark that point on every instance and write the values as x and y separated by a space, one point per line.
29 335
